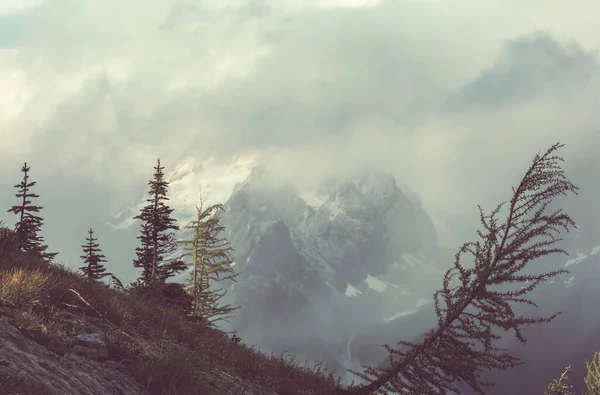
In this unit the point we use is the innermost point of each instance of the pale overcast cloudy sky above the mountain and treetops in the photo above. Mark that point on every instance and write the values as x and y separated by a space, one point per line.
452 96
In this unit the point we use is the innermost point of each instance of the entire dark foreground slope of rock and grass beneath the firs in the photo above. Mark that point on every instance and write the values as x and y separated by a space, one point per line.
61 333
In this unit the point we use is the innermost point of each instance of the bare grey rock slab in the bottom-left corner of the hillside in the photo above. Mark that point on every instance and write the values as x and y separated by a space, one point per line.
75 364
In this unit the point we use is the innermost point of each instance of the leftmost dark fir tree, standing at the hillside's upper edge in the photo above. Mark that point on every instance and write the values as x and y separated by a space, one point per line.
29 225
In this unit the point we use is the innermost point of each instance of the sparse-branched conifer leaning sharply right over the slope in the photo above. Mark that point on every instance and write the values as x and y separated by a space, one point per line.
470 305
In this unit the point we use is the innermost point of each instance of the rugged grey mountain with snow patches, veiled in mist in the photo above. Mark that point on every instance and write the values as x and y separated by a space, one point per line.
322 264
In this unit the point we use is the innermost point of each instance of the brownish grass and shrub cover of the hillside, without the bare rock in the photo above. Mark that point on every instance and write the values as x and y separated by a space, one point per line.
158 346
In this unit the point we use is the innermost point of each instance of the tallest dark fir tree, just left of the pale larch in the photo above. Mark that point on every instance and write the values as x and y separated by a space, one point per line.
157 236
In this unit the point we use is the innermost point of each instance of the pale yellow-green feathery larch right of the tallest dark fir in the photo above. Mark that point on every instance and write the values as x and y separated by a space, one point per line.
210 261
